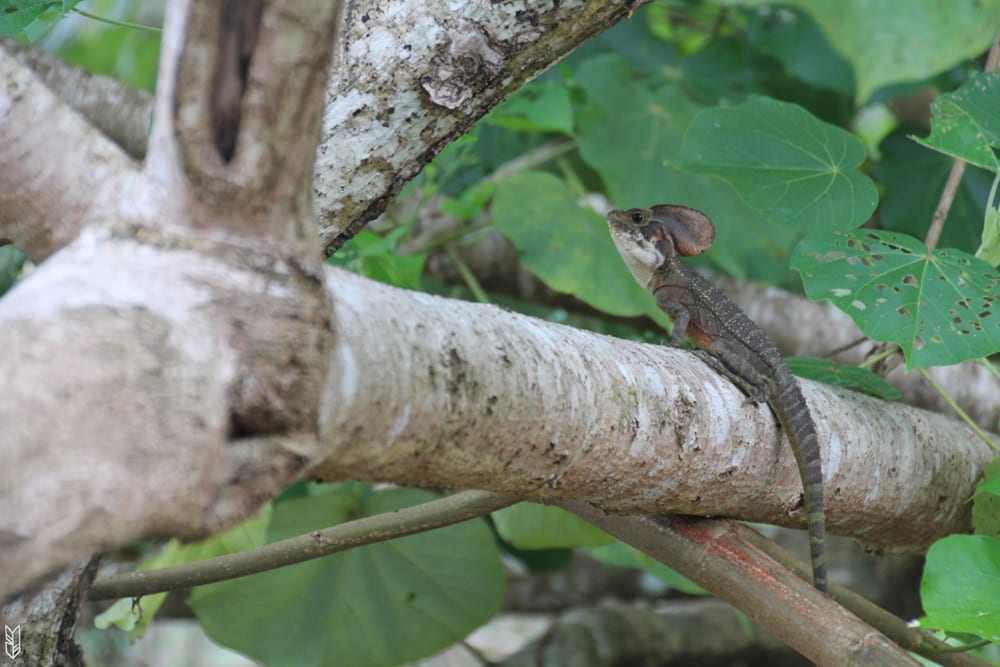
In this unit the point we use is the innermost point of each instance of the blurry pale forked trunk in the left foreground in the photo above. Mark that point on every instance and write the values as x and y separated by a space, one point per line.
171 333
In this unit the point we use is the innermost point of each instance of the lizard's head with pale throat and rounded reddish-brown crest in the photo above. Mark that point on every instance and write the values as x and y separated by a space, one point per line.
647 238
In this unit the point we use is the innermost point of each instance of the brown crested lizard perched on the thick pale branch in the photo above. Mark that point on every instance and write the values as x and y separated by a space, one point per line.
651 241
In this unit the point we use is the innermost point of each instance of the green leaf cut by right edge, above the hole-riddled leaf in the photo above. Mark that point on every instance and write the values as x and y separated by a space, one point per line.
966 123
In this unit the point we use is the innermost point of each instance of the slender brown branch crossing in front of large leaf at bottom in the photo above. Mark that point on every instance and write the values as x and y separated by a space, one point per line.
417 519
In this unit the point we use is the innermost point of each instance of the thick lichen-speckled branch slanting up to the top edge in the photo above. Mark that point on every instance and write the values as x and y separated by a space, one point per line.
453 62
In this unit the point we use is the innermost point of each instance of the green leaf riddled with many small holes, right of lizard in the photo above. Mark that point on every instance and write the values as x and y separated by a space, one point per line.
940 308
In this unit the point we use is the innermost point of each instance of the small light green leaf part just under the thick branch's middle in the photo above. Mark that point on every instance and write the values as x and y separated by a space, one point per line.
534 526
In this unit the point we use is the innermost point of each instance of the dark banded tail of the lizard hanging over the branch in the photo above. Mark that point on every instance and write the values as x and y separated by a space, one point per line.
790 406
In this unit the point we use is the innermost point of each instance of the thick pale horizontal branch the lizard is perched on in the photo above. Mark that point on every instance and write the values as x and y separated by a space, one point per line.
545 411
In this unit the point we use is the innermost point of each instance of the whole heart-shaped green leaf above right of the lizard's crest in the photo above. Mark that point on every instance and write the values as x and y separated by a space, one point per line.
784 163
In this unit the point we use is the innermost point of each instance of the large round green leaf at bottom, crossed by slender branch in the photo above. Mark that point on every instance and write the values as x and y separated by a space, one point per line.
379 605
